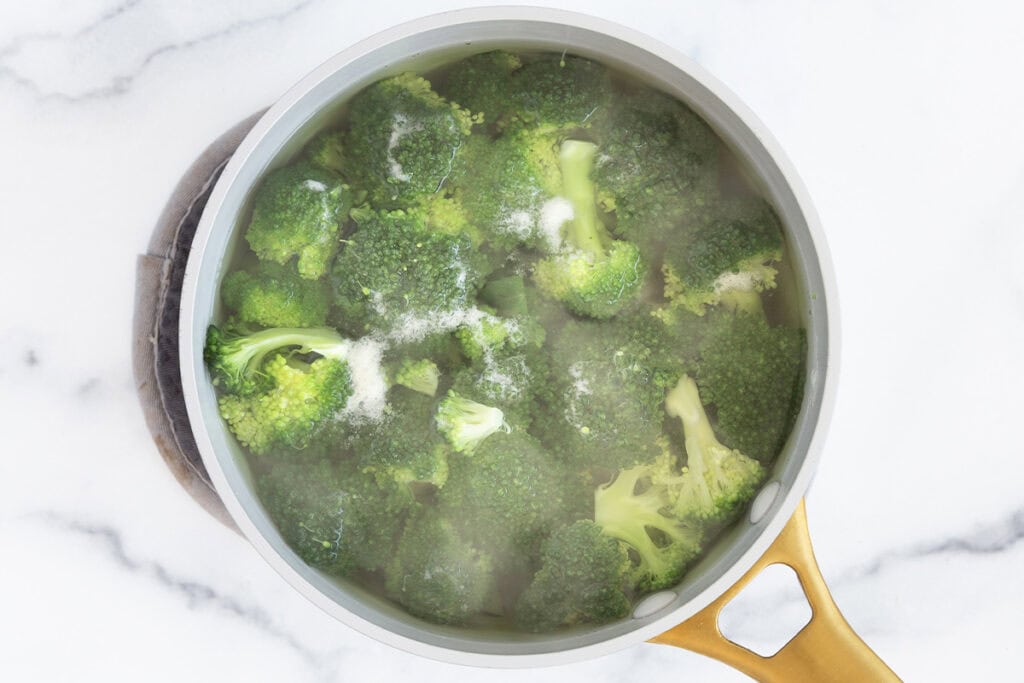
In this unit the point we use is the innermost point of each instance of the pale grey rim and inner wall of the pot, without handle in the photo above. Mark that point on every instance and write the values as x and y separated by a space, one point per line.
421 47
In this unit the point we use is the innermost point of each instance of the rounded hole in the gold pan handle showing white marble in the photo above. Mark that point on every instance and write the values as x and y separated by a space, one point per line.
769 613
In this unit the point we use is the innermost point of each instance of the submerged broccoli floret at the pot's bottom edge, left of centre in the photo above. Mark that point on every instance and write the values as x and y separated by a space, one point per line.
437 575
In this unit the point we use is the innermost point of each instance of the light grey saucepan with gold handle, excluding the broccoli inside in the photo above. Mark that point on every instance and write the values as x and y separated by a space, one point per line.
774 532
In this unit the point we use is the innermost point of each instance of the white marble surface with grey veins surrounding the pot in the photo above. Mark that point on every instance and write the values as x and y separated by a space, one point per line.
905 120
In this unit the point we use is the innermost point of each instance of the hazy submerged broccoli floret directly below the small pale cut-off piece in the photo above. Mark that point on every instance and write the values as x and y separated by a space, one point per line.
507 496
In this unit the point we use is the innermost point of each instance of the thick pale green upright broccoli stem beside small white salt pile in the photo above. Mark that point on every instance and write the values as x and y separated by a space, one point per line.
576 160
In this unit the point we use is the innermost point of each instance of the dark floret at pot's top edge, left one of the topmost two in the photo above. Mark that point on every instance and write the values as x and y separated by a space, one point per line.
482 84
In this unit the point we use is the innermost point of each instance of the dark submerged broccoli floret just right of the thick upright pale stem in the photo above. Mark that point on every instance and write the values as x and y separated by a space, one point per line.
658 165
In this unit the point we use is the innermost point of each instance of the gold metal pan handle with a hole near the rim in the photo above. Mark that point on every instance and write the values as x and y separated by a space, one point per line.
826 651
